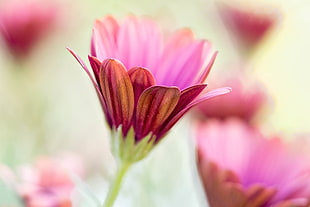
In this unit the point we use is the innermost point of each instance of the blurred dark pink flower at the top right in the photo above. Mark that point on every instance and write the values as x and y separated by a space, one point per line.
248 25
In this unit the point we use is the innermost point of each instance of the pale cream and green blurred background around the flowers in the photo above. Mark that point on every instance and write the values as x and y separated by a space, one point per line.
48 105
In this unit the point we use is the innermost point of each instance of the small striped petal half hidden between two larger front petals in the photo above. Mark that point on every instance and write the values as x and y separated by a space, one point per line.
141 79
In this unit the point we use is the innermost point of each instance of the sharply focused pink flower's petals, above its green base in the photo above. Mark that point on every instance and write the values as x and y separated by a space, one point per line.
161 79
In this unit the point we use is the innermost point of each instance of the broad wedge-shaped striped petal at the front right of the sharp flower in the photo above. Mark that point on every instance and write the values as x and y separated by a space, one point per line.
153 108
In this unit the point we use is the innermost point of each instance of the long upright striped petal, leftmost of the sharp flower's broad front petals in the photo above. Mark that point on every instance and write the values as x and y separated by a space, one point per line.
117 90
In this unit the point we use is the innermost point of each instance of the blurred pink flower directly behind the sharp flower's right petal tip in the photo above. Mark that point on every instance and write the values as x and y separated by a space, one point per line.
244 101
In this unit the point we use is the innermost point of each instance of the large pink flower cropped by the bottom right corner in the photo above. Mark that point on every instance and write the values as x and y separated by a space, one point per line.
240 167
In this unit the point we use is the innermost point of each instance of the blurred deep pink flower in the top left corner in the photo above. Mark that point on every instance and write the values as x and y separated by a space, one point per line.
24 23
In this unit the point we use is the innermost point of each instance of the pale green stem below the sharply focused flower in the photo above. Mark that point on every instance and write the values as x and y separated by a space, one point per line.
116 184
